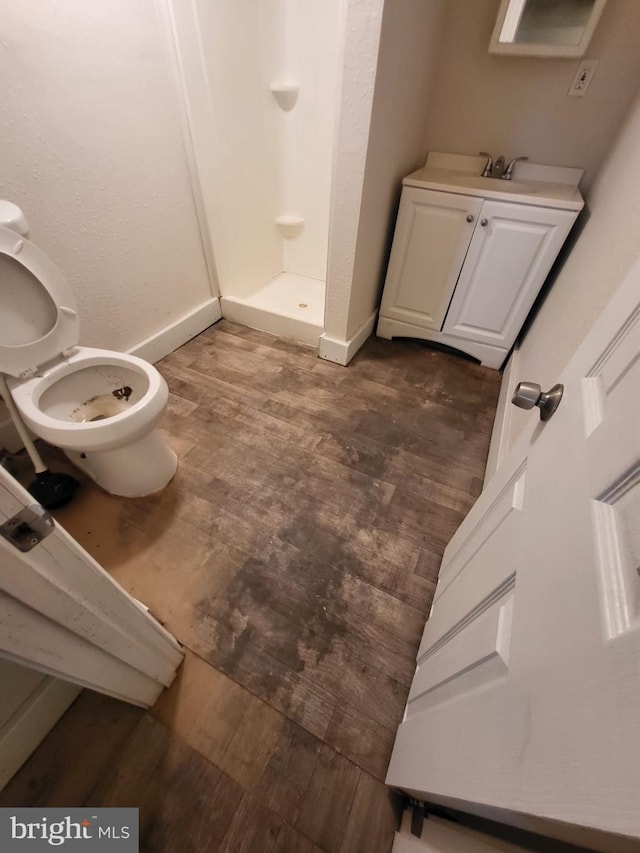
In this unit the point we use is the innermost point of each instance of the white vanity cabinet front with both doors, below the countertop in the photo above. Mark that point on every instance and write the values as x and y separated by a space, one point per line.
465 271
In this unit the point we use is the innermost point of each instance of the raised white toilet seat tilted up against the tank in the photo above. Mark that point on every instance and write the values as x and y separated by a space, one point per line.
42 344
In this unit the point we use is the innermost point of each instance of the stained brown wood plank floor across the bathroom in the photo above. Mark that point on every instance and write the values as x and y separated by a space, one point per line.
294 556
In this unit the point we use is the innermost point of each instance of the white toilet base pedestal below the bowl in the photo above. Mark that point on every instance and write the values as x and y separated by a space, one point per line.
133 471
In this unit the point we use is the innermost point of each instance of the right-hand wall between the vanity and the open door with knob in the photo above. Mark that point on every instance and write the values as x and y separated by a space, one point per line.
605 250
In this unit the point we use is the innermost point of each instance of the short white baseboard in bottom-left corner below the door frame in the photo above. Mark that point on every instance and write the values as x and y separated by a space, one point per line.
31 723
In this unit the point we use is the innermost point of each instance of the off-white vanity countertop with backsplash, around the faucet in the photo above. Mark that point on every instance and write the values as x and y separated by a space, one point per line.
544 186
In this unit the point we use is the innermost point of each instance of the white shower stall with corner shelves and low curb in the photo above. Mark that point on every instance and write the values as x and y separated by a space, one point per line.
261 82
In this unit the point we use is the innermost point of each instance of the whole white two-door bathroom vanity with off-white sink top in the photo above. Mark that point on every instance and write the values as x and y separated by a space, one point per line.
470 253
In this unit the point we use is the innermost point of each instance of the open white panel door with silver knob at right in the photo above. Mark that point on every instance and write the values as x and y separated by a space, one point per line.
527 691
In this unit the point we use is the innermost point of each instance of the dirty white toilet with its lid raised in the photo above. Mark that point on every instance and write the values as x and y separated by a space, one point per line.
102 408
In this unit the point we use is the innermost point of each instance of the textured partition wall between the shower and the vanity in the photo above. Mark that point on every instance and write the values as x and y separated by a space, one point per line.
380 139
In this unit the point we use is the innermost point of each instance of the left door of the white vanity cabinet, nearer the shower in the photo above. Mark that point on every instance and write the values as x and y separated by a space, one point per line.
431 239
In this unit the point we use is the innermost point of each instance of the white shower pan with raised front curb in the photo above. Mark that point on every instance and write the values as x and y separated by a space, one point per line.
290 306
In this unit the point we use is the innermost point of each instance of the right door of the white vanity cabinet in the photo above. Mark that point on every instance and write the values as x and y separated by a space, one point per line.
511 253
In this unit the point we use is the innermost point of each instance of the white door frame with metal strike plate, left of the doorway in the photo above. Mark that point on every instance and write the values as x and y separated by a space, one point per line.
63 615
